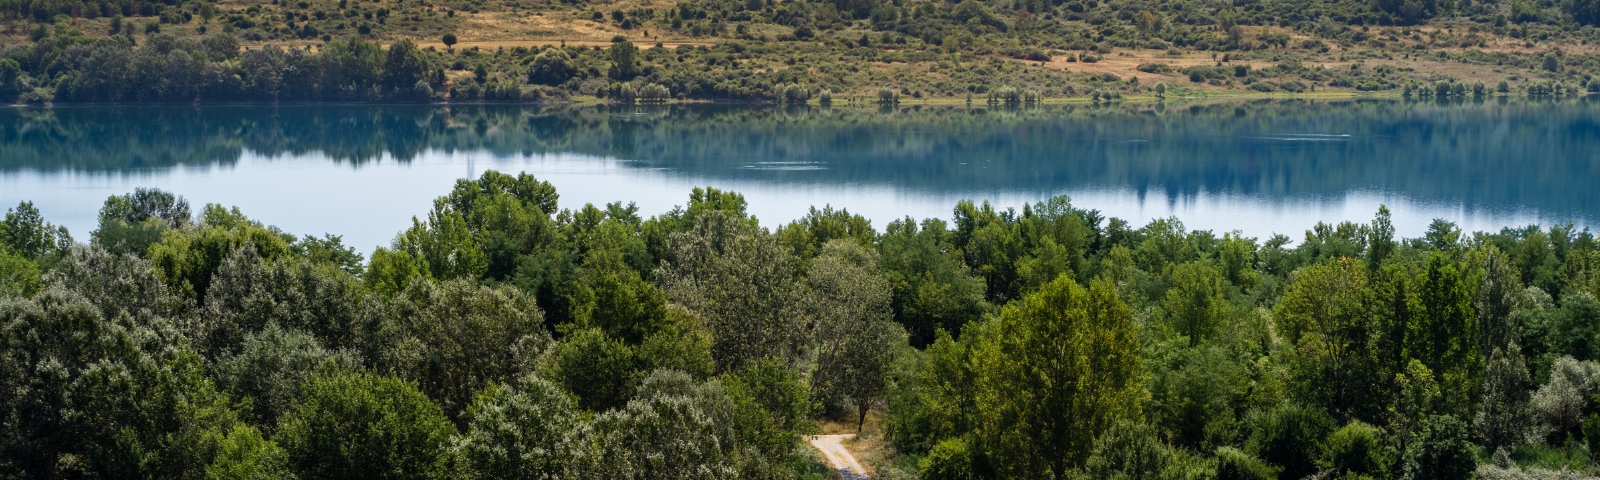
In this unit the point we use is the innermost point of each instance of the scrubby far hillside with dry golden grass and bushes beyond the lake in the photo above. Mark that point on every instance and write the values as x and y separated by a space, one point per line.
785 50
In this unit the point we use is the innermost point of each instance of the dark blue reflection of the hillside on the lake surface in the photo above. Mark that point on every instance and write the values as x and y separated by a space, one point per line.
1479 153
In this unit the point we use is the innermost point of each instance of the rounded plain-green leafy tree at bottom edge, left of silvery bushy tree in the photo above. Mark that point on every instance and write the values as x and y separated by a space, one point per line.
366 426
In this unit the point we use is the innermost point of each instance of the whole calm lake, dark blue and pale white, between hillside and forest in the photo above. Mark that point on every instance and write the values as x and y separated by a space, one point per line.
1260 167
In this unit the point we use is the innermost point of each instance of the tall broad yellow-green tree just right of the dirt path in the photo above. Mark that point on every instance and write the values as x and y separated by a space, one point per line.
1063 369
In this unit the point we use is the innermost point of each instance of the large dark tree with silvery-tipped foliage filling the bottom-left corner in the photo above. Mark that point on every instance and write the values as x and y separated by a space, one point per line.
102 398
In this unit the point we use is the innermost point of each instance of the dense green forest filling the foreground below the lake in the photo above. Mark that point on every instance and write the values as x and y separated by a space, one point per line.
506 335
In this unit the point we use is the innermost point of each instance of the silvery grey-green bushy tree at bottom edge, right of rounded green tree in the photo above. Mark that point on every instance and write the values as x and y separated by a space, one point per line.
526 430
